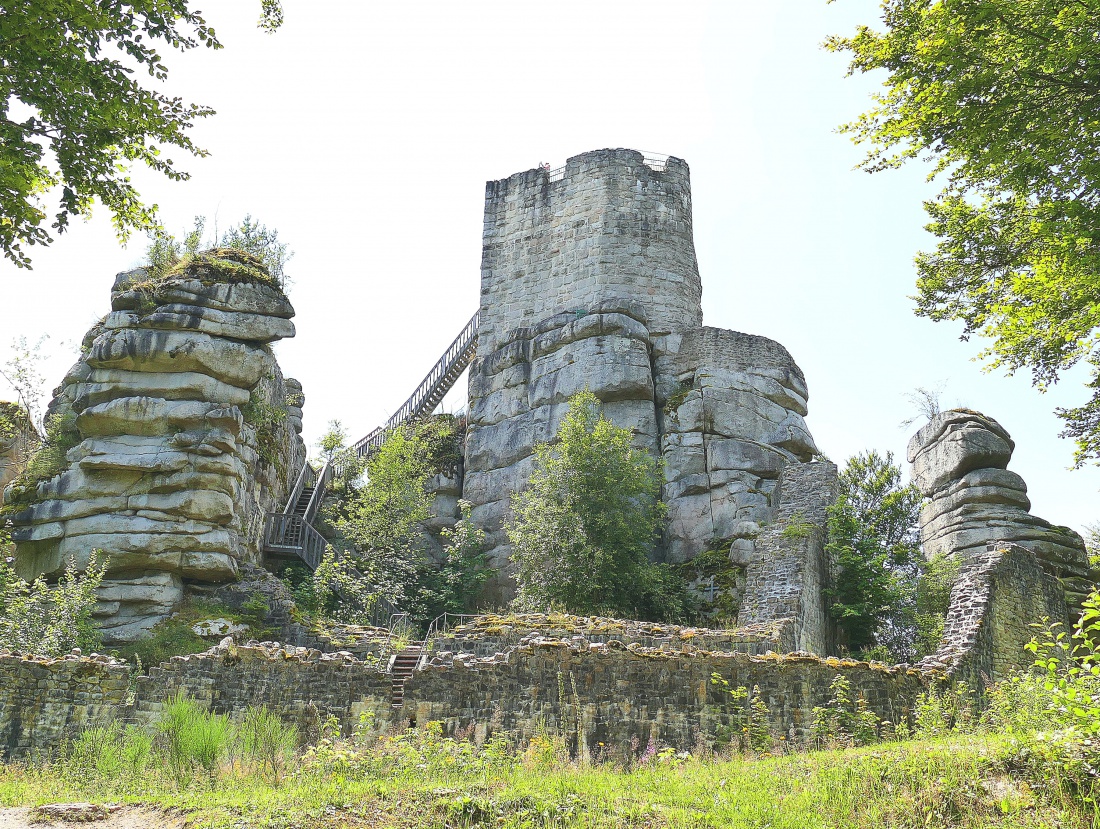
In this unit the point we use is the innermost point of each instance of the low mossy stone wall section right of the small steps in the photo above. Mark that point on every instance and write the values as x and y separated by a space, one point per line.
644 694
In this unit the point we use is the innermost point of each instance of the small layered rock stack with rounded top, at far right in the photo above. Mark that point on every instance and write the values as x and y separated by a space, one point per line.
961 462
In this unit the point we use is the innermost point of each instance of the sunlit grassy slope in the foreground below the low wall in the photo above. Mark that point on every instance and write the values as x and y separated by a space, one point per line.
959 782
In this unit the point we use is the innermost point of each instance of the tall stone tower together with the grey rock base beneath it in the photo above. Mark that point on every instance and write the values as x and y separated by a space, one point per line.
590 280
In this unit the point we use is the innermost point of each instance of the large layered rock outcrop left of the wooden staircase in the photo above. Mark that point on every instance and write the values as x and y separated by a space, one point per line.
183 433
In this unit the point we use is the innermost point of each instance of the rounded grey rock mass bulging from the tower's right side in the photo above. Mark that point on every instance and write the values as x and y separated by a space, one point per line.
733 410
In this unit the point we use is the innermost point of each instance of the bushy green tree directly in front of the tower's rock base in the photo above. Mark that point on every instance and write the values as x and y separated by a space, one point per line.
584 529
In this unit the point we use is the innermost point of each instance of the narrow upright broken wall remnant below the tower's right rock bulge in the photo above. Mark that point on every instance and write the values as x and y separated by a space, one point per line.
788 570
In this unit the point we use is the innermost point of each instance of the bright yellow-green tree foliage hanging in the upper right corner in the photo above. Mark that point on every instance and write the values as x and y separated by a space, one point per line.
1005 96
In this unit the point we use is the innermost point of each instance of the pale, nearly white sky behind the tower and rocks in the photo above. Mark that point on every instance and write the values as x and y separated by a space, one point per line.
366 132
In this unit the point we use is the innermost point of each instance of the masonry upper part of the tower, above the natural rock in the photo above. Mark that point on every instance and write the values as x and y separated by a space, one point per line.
607 227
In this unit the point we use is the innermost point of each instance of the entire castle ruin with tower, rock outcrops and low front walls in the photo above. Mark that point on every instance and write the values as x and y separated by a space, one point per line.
183 448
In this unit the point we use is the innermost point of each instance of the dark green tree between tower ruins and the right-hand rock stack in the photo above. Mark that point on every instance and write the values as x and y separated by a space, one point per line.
874 545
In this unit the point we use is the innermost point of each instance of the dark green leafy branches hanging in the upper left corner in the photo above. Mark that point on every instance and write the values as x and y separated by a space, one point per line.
74 116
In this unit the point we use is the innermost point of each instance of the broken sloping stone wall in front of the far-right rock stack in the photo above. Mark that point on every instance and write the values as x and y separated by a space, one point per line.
999 594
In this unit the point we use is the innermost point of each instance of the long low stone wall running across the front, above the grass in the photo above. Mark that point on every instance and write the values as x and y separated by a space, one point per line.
593 693
